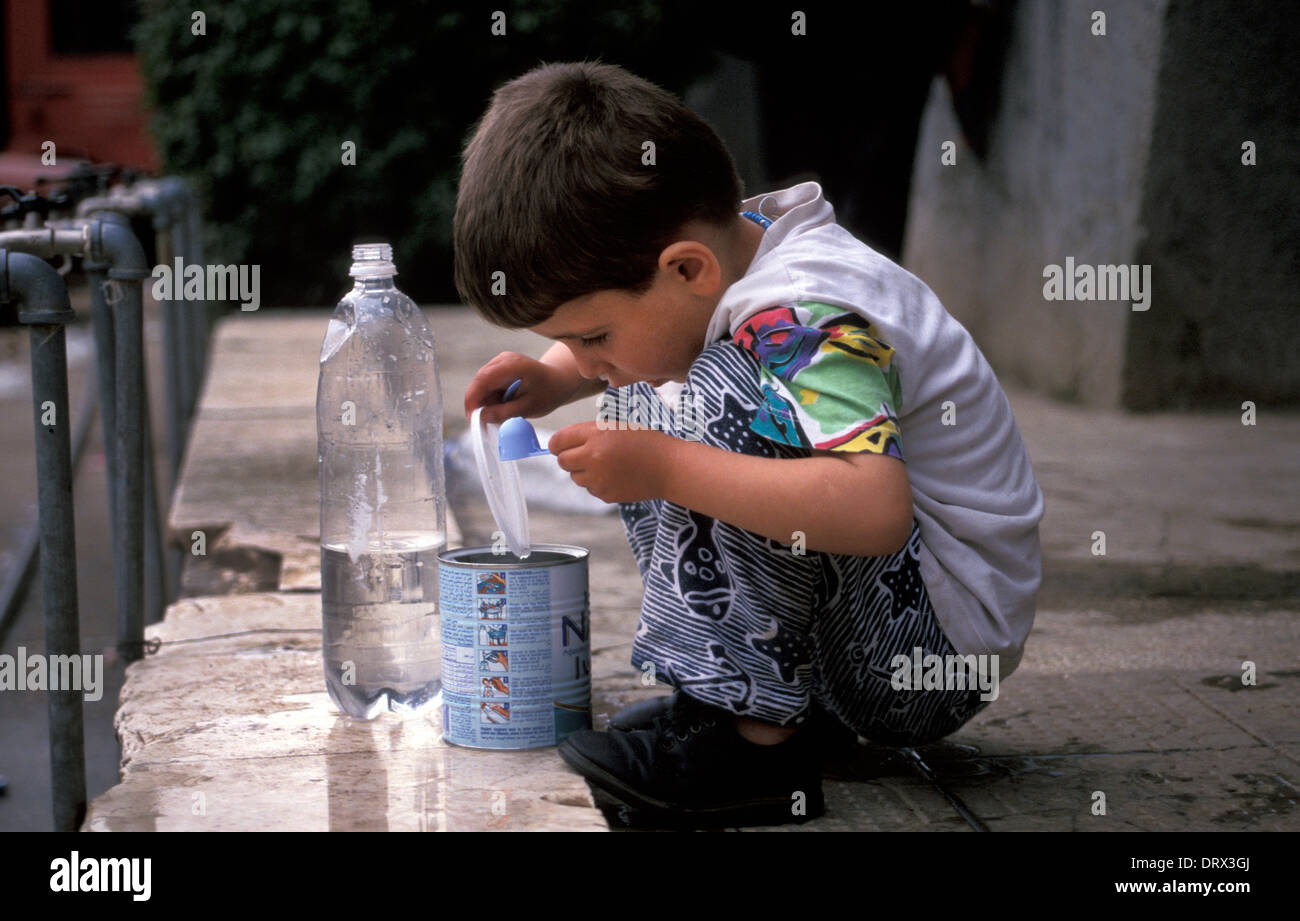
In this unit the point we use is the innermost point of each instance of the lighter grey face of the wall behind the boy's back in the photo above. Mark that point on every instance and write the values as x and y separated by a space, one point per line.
1064 178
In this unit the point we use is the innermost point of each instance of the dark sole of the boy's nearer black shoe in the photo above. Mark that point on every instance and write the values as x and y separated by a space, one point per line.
762 811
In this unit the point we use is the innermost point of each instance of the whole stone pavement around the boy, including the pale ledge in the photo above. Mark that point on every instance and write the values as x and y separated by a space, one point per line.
1130 687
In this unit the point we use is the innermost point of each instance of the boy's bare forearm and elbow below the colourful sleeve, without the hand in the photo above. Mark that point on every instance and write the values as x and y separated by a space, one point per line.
852 504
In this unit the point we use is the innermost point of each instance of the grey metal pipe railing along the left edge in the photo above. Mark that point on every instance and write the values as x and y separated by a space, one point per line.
115 266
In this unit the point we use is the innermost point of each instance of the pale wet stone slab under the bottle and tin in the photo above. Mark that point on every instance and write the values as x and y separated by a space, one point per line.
240 734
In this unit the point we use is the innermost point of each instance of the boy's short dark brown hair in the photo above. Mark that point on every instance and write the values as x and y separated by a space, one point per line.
556 194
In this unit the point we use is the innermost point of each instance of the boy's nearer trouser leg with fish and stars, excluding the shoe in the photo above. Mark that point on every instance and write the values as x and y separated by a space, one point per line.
726 613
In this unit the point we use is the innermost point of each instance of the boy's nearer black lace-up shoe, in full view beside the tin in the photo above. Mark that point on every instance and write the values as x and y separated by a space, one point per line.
694 769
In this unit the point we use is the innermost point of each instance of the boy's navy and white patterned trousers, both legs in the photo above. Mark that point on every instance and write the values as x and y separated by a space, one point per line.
747 625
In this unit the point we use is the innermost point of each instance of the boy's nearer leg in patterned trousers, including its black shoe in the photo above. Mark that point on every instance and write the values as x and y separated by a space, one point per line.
725 620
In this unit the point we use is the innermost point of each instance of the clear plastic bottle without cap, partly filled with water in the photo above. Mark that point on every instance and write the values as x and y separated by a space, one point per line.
379 425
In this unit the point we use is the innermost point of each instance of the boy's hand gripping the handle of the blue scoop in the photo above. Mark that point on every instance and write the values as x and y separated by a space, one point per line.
616 466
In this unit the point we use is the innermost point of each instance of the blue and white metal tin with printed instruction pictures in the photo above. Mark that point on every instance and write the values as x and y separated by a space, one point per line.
517 656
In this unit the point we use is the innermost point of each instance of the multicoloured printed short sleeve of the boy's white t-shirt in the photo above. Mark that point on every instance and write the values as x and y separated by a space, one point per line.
829 382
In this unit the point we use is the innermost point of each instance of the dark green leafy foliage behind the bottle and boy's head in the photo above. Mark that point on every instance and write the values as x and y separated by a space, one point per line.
257 110
